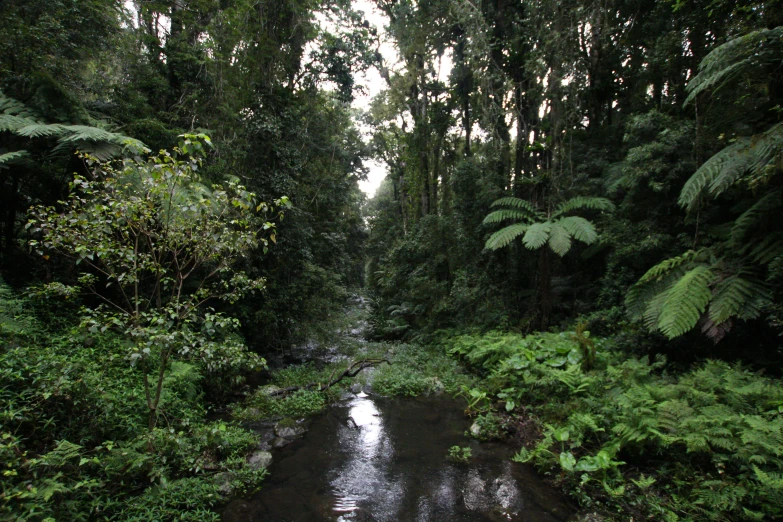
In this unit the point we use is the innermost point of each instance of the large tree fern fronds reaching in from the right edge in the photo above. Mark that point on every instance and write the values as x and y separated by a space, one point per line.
725 281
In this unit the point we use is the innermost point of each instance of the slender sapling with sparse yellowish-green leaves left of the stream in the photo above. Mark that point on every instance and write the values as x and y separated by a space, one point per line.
156 246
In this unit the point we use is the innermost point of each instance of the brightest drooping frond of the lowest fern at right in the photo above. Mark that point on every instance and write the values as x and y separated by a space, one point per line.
685 302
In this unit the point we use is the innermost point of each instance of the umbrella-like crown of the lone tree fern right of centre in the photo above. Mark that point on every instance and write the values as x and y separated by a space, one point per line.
537 229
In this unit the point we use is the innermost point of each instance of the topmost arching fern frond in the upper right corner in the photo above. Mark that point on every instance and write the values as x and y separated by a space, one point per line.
735 58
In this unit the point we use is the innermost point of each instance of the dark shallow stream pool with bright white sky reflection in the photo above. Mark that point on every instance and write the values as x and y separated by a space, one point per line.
378 459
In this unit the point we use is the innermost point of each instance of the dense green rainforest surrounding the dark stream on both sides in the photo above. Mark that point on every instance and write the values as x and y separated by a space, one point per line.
579 208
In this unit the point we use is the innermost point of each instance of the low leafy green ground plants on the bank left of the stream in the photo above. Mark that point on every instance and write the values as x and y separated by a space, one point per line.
74 441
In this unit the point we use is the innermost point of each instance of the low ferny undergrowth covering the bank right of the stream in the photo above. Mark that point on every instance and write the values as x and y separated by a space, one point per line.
626 437
